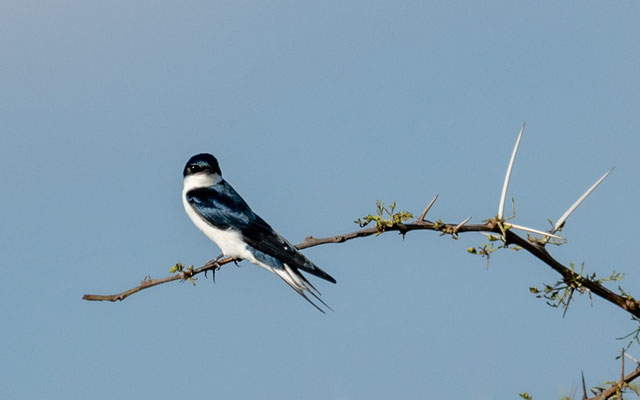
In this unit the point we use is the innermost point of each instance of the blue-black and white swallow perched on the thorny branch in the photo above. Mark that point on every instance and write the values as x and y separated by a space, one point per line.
225 218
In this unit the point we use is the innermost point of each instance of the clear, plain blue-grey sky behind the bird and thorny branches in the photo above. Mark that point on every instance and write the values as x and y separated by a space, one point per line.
315 110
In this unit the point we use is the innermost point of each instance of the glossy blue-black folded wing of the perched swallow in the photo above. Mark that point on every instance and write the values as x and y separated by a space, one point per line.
223 207
